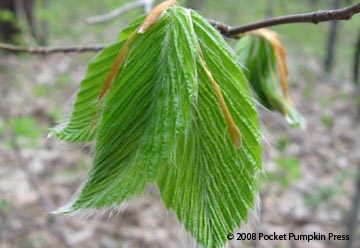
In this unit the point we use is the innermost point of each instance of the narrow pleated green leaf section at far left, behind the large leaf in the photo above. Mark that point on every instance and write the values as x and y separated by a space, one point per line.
83 125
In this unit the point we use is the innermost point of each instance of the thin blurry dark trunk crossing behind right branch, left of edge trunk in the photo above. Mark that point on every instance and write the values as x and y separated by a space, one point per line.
331 41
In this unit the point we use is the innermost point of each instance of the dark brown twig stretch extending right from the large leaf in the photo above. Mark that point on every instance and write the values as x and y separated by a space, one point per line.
312 17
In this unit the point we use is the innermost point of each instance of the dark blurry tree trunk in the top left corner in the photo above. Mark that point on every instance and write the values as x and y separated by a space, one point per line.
8 28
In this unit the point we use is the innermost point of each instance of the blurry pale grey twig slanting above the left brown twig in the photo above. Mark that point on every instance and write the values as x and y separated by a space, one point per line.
115 13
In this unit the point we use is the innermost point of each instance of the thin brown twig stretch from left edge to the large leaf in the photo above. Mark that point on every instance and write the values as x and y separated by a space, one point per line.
50 50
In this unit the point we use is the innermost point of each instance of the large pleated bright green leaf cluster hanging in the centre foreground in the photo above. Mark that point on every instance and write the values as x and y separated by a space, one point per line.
162 123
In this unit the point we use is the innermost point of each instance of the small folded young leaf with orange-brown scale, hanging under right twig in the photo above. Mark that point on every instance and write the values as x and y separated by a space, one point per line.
263 55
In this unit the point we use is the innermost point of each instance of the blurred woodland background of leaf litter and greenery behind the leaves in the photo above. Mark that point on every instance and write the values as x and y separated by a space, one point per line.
309 184
